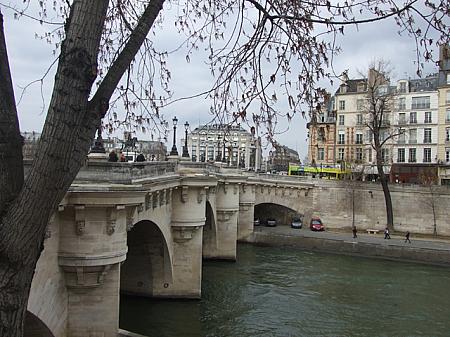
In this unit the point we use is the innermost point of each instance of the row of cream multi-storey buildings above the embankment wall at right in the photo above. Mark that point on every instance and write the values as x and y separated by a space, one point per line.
416 125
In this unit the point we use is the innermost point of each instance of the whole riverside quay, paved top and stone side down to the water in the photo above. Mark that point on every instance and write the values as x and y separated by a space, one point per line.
422 249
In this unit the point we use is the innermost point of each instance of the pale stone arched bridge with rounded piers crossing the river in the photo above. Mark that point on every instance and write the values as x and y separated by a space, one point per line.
143 229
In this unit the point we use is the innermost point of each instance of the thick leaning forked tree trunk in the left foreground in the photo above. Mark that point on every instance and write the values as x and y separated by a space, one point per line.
67 135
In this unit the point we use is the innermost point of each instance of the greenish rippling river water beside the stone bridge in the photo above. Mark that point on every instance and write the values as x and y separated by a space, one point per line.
284 292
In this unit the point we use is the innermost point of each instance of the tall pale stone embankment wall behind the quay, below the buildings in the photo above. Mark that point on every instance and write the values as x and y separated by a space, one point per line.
336 202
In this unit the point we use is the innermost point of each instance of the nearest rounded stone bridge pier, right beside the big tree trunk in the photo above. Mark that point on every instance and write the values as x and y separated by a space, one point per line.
92 246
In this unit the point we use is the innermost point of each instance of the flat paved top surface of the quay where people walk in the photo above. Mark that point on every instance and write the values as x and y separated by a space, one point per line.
396 240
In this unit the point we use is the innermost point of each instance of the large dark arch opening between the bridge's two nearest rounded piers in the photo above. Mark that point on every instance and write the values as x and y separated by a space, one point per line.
148 268
